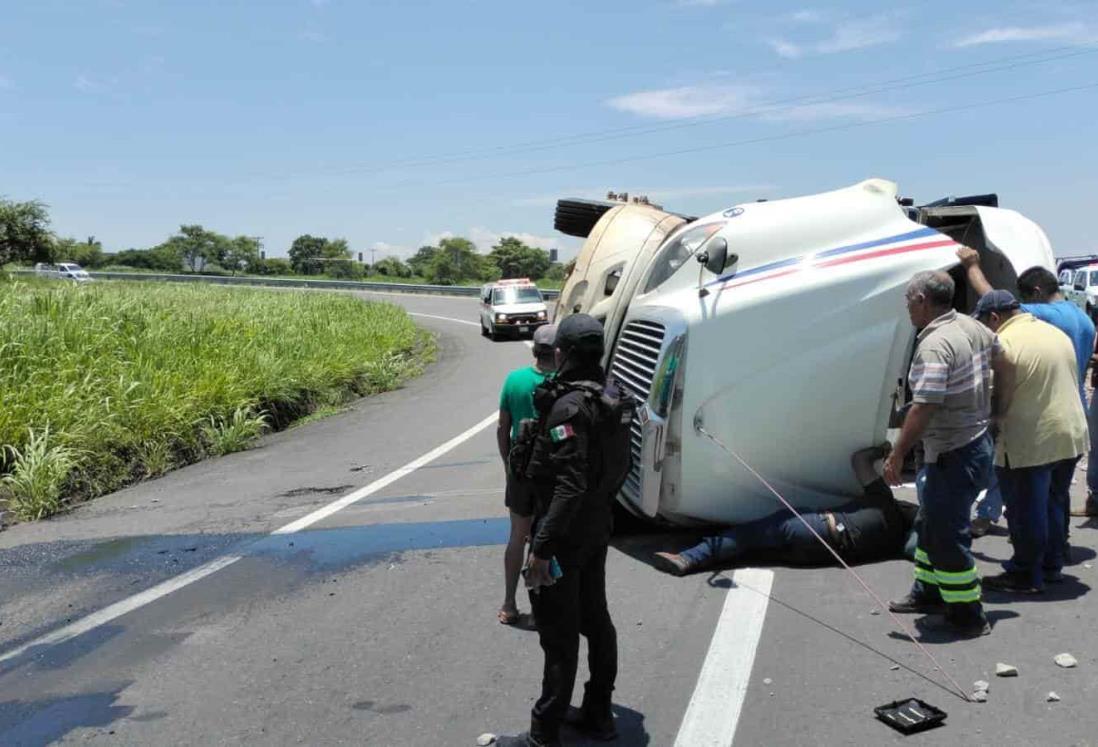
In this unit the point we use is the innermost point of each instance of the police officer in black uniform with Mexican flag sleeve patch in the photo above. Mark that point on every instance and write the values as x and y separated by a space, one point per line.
573 527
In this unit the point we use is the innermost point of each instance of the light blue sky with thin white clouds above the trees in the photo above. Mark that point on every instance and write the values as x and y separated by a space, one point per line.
393 122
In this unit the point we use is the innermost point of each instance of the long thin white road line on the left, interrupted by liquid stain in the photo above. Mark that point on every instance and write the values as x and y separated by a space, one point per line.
142 599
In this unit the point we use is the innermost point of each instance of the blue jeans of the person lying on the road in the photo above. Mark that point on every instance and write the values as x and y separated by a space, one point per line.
776 532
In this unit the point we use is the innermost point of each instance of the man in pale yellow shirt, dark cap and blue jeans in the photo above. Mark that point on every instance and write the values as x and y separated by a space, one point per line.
1043 434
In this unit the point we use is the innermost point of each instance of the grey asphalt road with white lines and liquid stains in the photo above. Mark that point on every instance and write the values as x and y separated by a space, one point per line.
225 605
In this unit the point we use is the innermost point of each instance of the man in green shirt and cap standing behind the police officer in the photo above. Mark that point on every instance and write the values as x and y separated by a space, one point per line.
517 405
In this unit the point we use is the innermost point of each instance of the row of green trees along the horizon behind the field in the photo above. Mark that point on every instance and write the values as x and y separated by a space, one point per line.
26 238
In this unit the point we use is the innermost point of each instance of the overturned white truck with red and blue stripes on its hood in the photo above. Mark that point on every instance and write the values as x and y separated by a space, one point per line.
779 326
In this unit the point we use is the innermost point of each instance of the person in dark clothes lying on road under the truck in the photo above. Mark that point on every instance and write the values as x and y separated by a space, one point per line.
870 528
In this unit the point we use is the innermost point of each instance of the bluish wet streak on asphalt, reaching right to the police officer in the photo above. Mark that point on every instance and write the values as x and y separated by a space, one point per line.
346 547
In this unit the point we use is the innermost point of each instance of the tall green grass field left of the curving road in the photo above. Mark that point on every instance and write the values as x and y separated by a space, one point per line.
108 384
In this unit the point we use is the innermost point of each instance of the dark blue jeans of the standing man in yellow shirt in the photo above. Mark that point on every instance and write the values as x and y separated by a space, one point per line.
1039 529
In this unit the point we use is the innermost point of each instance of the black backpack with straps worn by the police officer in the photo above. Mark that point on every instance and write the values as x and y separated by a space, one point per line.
612 441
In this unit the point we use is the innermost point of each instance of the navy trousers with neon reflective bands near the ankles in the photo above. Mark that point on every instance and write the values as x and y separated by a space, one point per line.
945 568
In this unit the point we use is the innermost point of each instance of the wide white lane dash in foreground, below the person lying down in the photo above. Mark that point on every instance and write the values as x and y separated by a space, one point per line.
715 707
